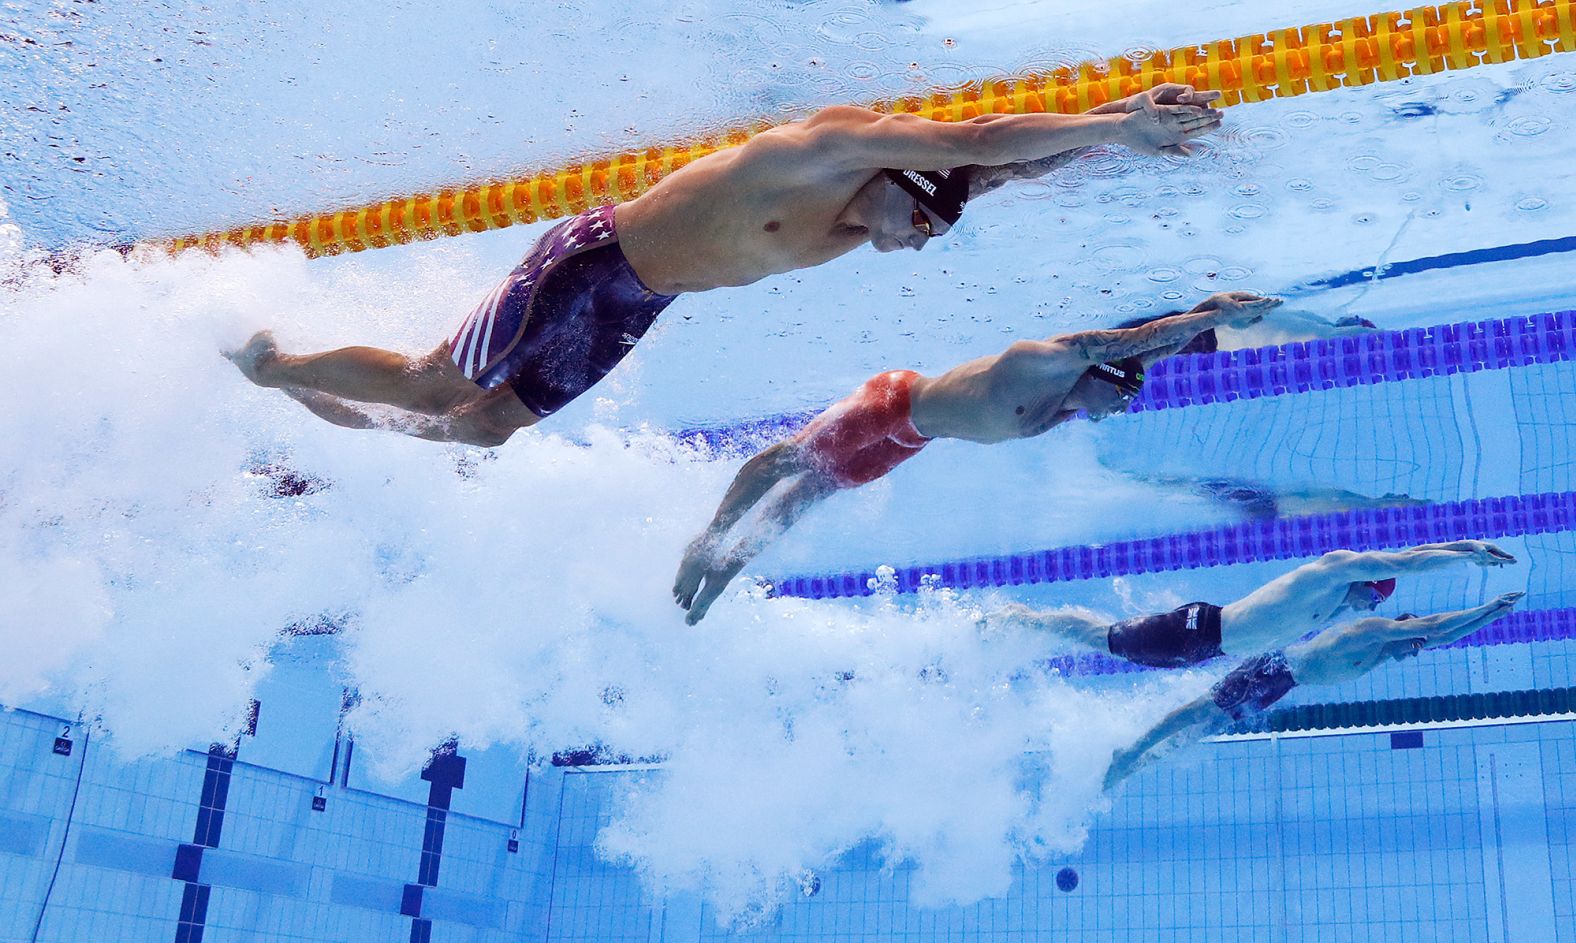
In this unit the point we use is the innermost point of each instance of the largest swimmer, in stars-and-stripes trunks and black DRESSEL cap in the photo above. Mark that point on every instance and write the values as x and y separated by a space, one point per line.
792 198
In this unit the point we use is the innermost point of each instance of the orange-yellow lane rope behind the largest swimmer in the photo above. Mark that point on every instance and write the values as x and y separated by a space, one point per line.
1280 64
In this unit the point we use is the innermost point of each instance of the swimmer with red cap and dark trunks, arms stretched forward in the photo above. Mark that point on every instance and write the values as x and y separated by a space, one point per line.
1274 616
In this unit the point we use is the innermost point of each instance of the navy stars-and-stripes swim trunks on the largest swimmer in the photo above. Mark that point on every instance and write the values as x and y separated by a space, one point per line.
567 316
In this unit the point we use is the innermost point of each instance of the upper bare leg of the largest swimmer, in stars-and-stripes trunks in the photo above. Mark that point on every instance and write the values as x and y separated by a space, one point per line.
429 386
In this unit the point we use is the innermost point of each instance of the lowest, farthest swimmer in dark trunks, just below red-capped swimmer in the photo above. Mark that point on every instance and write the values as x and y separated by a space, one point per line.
1334 657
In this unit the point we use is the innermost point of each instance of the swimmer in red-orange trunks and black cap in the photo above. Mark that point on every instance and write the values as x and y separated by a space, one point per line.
1027 390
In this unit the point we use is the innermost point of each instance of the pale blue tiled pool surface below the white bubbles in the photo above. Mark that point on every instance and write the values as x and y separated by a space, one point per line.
1440 835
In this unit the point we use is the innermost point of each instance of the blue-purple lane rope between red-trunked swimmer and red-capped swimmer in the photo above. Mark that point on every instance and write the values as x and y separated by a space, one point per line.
1285 539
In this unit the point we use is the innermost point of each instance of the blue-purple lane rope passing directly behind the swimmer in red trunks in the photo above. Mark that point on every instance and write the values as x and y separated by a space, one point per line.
1200 379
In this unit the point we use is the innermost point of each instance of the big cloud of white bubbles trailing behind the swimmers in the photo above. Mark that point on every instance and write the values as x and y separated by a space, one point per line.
518 597
